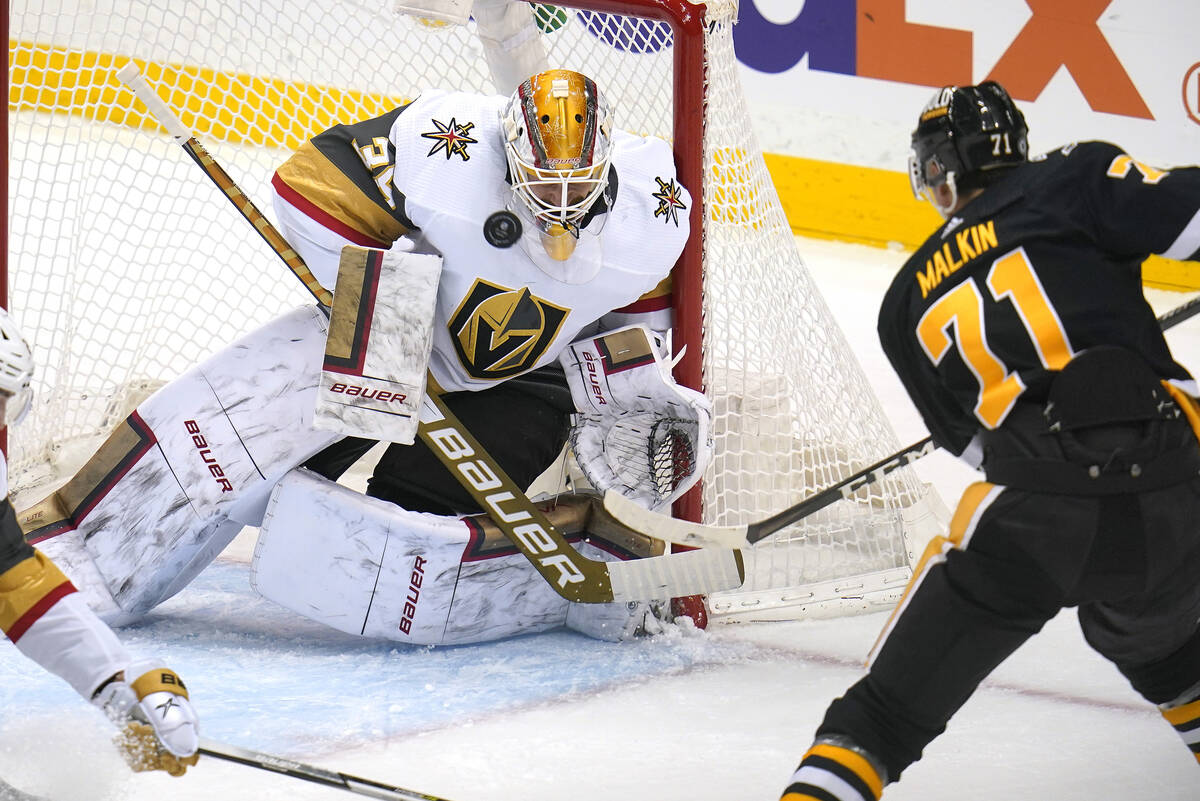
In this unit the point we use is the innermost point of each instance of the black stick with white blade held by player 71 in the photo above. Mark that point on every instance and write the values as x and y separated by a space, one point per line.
743 537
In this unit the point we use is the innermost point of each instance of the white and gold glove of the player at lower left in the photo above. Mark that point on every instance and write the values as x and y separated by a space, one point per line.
159 727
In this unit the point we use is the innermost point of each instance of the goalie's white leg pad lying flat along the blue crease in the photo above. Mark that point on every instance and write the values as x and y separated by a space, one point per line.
370 568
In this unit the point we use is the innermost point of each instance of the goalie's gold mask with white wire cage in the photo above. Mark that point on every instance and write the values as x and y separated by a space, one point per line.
557 129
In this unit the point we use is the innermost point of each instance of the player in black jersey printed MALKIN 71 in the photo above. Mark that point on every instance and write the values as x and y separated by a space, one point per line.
1021 333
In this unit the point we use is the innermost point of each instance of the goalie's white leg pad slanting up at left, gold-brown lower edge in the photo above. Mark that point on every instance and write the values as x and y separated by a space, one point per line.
177 480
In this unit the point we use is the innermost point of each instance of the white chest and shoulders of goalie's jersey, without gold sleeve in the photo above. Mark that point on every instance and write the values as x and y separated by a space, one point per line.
499 312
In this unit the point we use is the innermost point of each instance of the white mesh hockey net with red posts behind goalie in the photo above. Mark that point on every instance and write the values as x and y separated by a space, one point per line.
127 267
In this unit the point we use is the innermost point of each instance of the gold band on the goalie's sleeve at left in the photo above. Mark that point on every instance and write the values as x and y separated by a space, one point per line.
310 173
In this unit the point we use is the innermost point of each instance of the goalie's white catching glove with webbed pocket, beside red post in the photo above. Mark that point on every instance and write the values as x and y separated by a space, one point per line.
637 432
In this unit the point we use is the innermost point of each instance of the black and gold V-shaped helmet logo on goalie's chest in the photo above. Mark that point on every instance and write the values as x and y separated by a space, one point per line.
501 333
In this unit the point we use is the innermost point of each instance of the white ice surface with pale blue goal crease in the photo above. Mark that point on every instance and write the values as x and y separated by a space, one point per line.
688 716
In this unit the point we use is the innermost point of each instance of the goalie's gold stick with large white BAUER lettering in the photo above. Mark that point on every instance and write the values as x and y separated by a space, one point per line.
572 575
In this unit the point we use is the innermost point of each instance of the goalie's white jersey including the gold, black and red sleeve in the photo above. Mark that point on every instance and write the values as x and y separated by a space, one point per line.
436 172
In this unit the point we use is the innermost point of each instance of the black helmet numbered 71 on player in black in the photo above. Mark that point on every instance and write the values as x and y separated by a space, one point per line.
963 135
